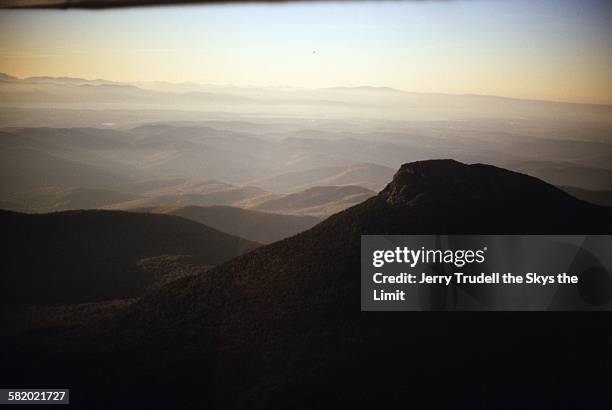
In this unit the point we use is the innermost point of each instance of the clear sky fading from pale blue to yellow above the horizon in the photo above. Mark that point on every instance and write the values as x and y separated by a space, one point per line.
558 50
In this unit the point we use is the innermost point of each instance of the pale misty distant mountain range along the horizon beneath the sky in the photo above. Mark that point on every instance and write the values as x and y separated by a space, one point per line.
334 102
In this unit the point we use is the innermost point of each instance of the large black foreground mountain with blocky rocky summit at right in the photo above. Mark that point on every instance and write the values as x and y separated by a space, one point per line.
281 327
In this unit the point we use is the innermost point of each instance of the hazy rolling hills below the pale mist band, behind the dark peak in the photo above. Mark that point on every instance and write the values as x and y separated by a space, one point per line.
153 165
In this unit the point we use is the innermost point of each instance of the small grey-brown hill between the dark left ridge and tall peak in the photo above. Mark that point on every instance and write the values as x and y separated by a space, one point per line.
253 225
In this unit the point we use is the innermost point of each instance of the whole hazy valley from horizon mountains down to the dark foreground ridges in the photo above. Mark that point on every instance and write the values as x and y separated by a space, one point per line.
102 157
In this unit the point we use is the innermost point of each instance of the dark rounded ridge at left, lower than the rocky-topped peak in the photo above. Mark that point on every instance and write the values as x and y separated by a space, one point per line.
88 256
